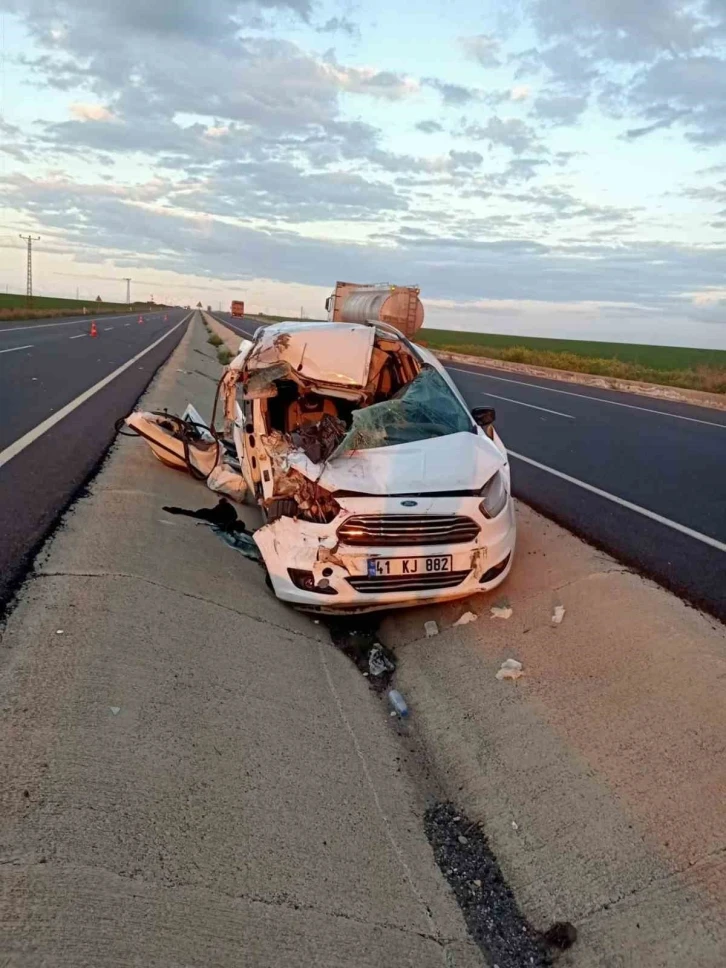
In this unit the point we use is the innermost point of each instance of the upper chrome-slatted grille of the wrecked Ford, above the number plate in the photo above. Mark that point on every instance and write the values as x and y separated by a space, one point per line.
395 530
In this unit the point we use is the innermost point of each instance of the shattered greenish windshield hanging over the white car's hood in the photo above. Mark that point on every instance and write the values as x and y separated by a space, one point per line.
422 409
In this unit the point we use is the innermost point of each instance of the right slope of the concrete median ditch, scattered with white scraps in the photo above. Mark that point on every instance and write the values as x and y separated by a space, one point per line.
607 754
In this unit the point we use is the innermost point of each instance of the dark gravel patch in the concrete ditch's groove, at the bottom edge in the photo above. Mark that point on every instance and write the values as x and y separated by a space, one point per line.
490 910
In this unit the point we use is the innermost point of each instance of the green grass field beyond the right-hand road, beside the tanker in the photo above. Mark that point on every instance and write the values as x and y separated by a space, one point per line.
694 369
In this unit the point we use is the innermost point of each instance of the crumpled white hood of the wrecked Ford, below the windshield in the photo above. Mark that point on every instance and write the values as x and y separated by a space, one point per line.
456 462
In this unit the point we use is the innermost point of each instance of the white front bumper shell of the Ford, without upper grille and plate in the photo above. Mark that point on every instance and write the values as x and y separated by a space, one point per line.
342 570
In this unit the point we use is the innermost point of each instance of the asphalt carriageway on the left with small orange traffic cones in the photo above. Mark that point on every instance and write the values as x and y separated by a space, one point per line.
61 392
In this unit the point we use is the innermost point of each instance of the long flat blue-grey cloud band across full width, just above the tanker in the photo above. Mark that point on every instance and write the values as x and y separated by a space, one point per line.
132 230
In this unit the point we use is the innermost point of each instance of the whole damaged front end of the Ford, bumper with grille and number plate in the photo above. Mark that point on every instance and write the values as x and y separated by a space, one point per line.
356 563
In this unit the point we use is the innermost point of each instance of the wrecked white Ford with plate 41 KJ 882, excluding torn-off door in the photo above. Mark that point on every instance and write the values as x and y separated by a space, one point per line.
378 486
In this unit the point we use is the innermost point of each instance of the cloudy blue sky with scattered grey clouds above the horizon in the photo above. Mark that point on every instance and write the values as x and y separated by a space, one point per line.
554 167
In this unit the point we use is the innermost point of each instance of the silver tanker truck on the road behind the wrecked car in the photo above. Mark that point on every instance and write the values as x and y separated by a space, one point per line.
400 306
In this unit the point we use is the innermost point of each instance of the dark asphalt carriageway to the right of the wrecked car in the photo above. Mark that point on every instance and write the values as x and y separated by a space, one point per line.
644 480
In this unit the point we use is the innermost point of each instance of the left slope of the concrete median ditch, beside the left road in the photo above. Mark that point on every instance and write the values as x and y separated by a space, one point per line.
190 774
